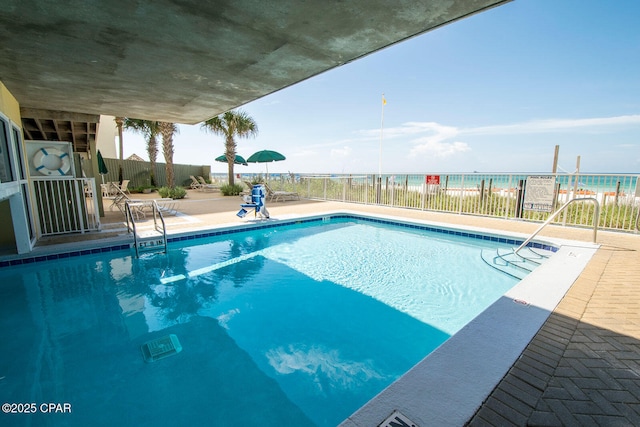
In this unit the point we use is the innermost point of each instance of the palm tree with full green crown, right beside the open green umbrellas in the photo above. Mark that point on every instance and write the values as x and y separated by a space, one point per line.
230 125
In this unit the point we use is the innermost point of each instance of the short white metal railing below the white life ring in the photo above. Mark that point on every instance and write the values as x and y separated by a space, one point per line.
65 205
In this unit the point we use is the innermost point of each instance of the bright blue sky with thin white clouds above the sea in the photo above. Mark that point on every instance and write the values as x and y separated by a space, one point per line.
495 92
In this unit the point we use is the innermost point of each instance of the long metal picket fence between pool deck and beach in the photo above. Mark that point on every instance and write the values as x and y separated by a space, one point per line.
495 195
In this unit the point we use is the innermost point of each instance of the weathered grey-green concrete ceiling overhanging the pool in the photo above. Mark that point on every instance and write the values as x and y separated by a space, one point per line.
184 61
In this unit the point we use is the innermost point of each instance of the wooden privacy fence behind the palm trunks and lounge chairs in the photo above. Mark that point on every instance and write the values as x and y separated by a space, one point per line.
138 173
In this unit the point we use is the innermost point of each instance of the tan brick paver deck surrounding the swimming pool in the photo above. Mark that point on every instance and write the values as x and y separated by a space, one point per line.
581 368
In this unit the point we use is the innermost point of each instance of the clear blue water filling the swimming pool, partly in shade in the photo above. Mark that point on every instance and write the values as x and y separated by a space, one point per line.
295 325
